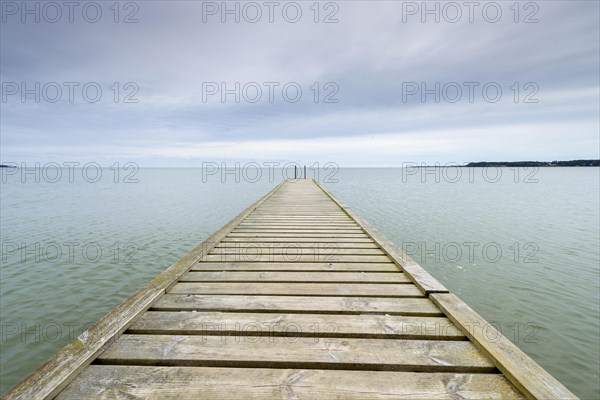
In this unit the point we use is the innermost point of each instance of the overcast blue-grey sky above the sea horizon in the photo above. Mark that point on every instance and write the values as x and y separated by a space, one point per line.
370 68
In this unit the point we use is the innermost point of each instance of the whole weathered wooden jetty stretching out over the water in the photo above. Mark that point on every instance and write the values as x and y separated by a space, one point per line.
295 298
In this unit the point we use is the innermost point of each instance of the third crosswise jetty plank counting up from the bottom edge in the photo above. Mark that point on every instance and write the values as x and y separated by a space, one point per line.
296 325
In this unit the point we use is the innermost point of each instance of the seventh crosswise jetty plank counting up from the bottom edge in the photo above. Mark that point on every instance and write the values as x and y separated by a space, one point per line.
371 267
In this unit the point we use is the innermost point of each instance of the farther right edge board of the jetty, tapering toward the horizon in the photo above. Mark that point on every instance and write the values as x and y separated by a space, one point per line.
420 276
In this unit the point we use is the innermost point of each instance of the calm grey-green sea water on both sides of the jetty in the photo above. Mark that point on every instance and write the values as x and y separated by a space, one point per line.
521 248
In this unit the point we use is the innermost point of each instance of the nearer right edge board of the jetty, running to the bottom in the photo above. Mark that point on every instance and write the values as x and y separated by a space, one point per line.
517 366
